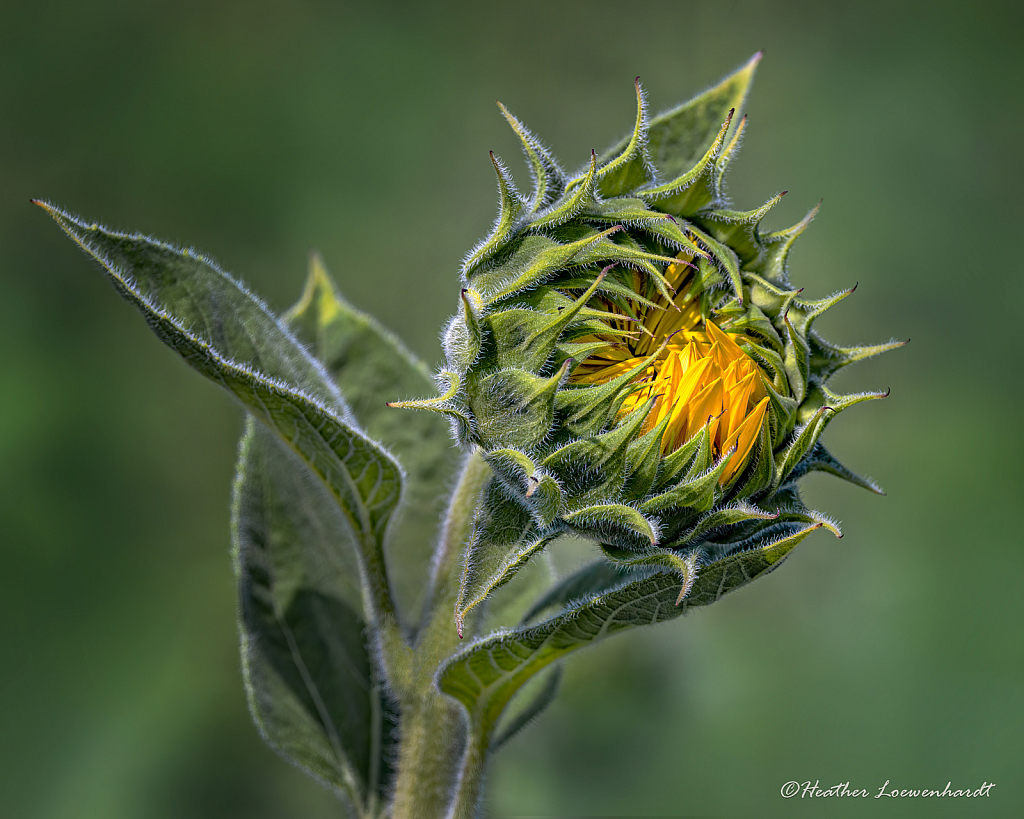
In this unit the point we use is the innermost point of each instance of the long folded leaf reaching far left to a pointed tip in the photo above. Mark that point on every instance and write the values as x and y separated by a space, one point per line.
232 338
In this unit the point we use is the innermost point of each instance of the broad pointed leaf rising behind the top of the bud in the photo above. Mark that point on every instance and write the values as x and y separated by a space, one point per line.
678 139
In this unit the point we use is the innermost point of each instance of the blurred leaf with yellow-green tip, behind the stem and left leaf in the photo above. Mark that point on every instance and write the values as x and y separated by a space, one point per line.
372 367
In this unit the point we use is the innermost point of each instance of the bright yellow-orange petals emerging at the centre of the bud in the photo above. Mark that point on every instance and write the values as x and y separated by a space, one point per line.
702 378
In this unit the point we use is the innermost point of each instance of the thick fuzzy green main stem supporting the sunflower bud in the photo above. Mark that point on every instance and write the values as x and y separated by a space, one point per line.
434 725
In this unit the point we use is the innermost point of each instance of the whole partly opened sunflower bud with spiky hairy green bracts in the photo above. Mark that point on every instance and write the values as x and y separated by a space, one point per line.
629 353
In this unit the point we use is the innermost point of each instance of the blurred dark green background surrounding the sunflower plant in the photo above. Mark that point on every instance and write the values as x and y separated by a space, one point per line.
261 131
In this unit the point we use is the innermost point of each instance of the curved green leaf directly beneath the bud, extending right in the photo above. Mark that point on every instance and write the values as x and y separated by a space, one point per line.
486 675
